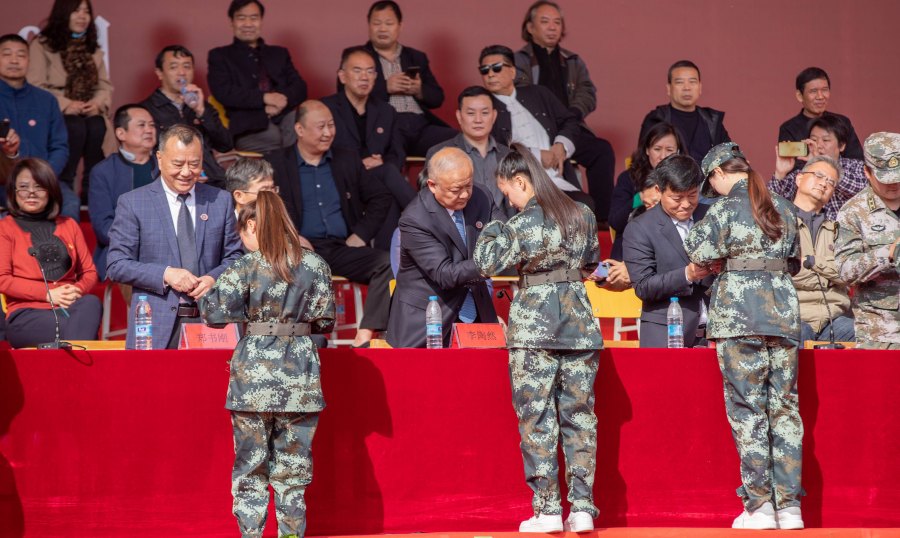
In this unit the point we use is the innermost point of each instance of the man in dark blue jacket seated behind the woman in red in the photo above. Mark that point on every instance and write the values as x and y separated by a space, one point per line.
34 118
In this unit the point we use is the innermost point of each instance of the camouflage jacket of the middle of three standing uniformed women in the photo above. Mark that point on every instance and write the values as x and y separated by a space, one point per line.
546 316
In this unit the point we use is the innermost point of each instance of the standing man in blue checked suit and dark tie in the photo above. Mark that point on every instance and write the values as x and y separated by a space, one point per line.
172 239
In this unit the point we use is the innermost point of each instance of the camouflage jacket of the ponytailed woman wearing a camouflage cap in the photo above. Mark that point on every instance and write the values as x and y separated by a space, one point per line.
747 303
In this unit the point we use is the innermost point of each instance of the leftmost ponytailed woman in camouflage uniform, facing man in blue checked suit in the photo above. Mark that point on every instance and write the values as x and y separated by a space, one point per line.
274 390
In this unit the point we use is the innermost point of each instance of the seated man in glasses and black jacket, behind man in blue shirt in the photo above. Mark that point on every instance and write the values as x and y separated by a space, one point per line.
369 126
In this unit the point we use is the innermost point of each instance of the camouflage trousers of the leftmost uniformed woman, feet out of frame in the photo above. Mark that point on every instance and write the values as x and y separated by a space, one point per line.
271 448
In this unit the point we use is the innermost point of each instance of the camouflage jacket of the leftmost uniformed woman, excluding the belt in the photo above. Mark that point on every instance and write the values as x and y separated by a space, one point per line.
273 373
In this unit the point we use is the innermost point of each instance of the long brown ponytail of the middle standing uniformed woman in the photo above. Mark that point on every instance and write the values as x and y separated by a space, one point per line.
554 202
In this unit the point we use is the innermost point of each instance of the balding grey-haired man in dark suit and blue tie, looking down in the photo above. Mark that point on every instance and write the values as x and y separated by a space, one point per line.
438 232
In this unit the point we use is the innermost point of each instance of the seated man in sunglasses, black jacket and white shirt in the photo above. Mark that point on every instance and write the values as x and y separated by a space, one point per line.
534 116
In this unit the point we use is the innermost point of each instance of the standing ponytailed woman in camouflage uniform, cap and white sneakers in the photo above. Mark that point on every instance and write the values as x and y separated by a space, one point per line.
754 316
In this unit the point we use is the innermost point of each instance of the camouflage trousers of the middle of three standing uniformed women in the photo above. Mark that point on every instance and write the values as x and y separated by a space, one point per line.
542 380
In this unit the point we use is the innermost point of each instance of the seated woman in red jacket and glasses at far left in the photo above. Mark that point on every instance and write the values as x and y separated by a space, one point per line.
34 229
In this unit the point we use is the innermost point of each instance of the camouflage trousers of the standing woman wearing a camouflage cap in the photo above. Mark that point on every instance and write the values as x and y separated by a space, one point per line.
763 407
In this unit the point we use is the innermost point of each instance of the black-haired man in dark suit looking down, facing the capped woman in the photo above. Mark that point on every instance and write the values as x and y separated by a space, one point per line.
655 258
